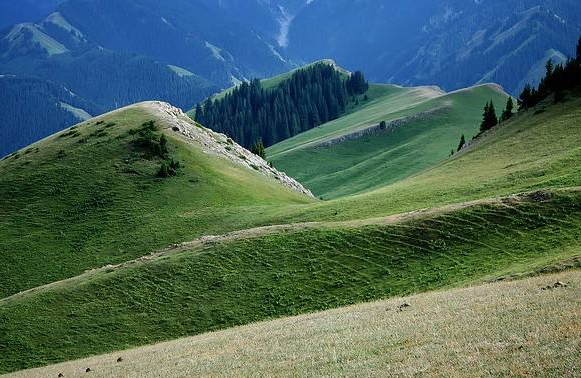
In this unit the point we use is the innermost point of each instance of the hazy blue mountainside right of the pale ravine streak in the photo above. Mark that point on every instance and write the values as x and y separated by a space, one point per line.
451 43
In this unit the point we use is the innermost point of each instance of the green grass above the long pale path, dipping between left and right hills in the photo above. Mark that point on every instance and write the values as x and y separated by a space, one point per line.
75 219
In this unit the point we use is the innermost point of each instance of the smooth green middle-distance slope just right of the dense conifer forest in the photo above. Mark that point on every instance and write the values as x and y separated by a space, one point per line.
372 161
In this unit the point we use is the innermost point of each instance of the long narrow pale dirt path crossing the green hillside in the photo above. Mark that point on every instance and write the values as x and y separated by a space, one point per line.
202 244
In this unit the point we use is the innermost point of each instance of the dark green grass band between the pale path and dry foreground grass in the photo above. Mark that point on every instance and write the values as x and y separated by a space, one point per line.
220 285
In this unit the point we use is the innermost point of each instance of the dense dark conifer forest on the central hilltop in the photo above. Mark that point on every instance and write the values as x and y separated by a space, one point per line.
309 98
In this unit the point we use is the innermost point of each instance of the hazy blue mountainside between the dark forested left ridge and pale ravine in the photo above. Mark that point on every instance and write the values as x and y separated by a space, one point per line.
215 39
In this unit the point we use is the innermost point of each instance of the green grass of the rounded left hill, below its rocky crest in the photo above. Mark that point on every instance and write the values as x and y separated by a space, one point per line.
87 197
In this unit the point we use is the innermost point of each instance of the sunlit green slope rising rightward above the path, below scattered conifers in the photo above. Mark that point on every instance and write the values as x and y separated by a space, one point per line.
537 149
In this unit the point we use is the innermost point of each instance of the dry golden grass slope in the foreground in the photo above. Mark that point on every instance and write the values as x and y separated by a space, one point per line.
507 329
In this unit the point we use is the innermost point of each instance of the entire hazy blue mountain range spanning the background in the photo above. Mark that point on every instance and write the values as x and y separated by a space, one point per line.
112 53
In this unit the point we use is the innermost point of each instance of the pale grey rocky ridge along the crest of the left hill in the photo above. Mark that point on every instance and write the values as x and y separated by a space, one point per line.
177 121
